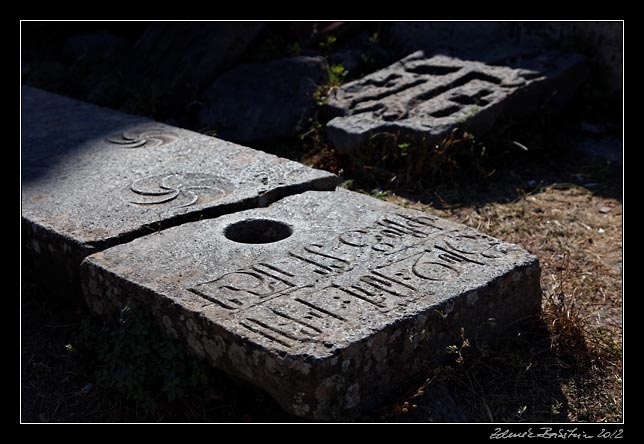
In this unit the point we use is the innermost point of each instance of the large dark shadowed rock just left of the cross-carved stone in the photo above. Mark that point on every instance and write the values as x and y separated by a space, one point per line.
264 101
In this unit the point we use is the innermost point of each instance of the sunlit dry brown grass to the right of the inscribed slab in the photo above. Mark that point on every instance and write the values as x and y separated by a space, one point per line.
568 366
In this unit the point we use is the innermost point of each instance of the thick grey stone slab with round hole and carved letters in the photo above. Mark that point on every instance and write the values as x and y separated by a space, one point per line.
330 301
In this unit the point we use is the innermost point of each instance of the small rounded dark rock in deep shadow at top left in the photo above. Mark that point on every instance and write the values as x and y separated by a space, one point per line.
95 47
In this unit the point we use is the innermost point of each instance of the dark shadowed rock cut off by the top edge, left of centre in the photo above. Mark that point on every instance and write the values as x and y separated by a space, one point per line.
190 55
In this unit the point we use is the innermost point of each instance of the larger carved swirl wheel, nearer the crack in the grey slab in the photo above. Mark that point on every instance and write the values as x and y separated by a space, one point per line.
177 189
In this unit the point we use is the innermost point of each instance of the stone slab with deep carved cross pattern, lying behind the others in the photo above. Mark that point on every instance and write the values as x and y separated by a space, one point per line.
425 97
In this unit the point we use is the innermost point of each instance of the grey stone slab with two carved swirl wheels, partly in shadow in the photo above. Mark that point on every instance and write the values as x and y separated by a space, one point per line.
93 178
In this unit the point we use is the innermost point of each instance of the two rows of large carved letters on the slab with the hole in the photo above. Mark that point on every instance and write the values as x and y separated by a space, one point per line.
305 293
